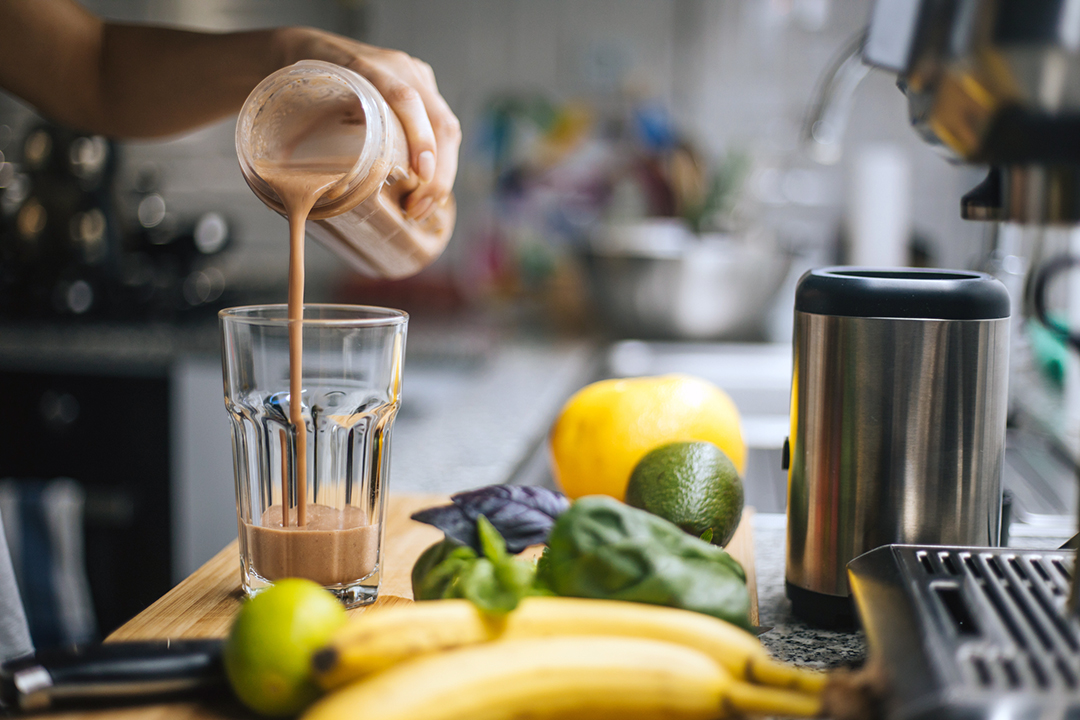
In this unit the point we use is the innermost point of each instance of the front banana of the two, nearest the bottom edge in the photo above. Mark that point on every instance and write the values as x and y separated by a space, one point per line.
587 677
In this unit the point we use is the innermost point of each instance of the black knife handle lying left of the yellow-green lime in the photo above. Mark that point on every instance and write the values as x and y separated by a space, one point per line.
112 673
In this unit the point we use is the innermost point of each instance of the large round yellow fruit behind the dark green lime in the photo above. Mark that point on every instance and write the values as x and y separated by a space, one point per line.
606 428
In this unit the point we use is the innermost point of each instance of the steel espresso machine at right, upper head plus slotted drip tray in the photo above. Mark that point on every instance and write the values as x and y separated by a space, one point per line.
979 632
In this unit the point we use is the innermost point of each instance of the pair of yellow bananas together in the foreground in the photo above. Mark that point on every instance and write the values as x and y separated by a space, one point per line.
555 657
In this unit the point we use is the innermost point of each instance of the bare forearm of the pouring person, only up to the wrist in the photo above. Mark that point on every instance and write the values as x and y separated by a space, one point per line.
124 80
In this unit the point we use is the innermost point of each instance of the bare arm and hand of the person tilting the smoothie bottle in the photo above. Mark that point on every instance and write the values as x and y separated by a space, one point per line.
144 81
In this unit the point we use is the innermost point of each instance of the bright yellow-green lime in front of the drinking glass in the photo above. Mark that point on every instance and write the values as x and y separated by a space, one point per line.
268 654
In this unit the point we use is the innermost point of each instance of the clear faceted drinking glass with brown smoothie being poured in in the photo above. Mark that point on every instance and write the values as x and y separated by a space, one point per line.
322 521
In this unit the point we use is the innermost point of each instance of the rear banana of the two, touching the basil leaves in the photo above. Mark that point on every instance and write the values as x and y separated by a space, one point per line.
382 639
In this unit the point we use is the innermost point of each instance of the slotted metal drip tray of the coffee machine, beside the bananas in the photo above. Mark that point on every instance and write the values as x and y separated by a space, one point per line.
970 632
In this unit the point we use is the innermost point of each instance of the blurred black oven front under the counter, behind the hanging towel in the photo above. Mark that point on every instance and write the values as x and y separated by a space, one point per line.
109 430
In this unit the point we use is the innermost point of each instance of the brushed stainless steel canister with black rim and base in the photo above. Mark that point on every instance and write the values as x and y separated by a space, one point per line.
899 401
